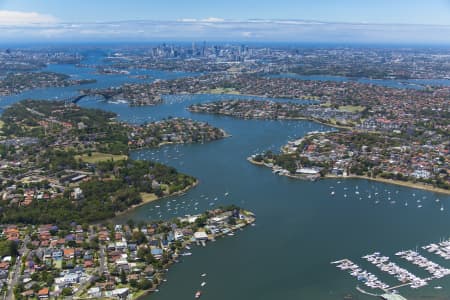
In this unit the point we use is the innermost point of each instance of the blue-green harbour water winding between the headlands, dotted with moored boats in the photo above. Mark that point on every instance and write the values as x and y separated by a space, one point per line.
301 227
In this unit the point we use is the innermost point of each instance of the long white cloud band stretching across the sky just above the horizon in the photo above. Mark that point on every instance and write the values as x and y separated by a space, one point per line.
226 30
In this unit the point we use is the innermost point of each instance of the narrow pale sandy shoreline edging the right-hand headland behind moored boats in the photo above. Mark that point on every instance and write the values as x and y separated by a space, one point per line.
409 184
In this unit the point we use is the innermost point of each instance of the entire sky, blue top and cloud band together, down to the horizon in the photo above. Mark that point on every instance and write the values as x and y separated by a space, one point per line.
343 21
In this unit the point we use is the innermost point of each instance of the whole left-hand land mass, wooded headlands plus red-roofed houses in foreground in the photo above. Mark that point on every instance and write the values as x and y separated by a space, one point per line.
66 168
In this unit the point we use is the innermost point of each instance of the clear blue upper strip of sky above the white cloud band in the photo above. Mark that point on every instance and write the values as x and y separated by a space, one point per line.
372 11
